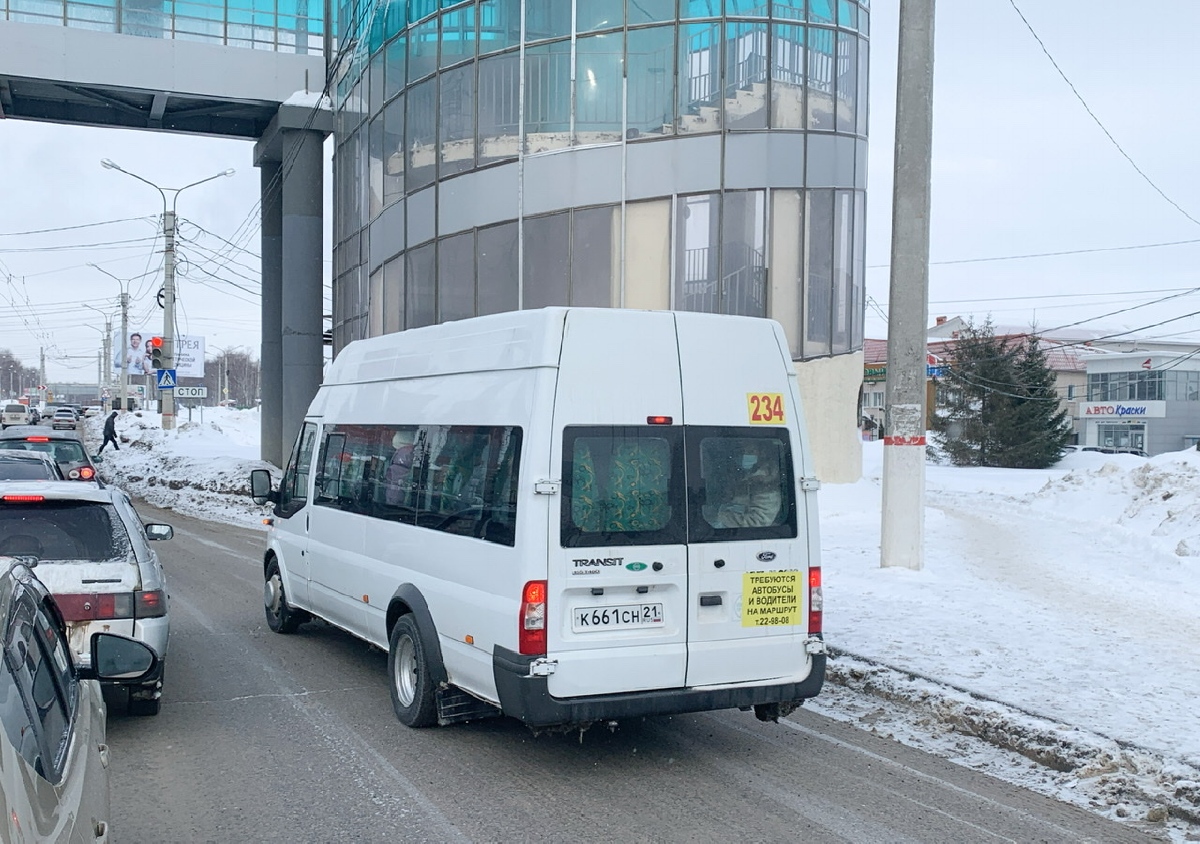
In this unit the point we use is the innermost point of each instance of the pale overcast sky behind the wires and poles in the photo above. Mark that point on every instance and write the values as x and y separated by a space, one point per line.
1019 169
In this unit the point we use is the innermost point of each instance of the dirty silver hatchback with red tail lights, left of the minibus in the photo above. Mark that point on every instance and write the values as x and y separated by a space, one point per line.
94 555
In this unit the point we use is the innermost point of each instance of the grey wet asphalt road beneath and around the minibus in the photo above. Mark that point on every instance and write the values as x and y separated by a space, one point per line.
292 739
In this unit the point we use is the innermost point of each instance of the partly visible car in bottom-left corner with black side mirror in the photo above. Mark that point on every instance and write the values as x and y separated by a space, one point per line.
55 773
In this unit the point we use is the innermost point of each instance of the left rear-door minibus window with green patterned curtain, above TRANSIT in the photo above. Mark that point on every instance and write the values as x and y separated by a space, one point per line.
622 487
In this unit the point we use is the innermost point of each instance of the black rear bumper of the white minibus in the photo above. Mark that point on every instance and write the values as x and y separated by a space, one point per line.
527 699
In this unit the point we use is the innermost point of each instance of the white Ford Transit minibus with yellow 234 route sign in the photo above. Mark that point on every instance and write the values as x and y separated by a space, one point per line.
563 516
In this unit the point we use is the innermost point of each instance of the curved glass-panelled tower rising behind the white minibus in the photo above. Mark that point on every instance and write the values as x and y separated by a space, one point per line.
705 155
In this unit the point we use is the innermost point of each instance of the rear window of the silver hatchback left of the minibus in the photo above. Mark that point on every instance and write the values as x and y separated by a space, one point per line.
63 530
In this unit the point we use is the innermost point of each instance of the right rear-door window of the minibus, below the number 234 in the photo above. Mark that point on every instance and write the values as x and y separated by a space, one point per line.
741 484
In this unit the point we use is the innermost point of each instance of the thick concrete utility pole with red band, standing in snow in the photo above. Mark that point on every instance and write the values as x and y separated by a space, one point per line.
904 447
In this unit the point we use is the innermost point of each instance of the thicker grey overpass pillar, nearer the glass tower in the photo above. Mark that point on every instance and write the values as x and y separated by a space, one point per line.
303 349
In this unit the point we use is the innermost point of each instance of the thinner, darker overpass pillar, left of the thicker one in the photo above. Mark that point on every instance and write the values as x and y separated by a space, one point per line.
273 448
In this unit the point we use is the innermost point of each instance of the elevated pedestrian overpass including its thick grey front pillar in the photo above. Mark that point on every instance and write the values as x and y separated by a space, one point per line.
235 69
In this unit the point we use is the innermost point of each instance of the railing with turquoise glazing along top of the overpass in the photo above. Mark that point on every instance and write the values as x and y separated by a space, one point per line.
277 26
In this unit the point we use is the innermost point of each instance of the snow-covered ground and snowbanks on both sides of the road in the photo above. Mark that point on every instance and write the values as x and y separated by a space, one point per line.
1052 639
